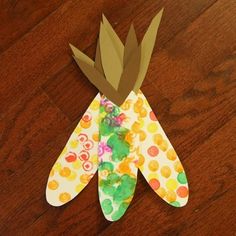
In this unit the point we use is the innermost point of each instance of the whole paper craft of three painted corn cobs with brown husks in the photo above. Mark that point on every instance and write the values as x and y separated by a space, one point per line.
119 133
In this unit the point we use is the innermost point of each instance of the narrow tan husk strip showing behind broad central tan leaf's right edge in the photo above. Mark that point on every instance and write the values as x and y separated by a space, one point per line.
119 47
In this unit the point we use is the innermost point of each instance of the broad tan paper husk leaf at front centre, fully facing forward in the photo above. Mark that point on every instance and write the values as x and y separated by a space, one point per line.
110 60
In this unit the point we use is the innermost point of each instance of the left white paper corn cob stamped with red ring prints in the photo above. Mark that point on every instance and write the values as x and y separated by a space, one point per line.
78 161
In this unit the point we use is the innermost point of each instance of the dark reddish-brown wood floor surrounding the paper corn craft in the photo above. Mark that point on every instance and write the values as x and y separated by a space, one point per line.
191 86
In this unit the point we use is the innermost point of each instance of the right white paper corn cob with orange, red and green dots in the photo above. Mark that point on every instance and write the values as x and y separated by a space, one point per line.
159 162
